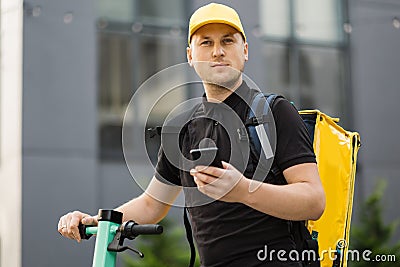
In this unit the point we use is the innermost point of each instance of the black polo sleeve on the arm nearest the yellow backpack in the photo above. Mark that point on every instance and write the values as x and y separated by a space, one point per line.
293 141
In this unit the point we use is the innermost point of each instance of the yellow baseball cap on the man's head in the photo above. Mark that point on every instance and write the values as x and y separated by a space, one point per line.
214 13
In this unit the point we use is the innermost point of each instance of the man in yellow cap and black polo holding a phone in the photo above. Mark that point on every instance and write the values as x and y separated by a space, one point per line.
238 223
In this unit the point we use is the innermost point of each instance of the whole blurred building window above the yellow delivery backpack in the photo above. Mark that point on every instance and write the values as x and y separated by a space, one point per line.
305 48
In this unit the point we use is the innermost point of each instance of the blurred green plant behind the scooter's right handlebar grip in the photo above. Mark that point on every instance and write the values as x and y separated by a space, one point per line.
168 249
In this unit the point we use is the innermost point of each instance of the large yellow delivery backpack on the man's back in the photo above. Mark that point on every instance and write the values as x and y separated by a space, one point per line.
336 151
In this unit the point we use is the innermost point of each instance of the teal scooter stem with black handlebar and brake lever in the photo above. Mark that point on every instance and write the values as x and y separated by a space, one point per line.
110 235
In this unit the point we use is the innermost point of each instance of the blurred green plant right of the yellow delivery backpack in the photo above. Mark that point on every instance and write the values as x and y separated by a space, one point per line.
373 234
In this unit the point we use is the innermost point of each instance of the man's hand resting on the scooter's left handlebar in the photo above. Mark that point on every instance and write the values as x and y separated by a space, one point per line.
68 224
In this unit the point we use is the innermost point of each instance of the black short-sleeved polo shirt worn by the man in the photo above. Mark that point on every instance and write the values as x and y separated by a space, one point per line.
231 234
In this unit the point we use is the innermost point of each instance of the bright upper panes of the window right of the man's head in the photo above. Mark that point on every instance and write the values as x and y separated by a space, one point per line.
304 20
